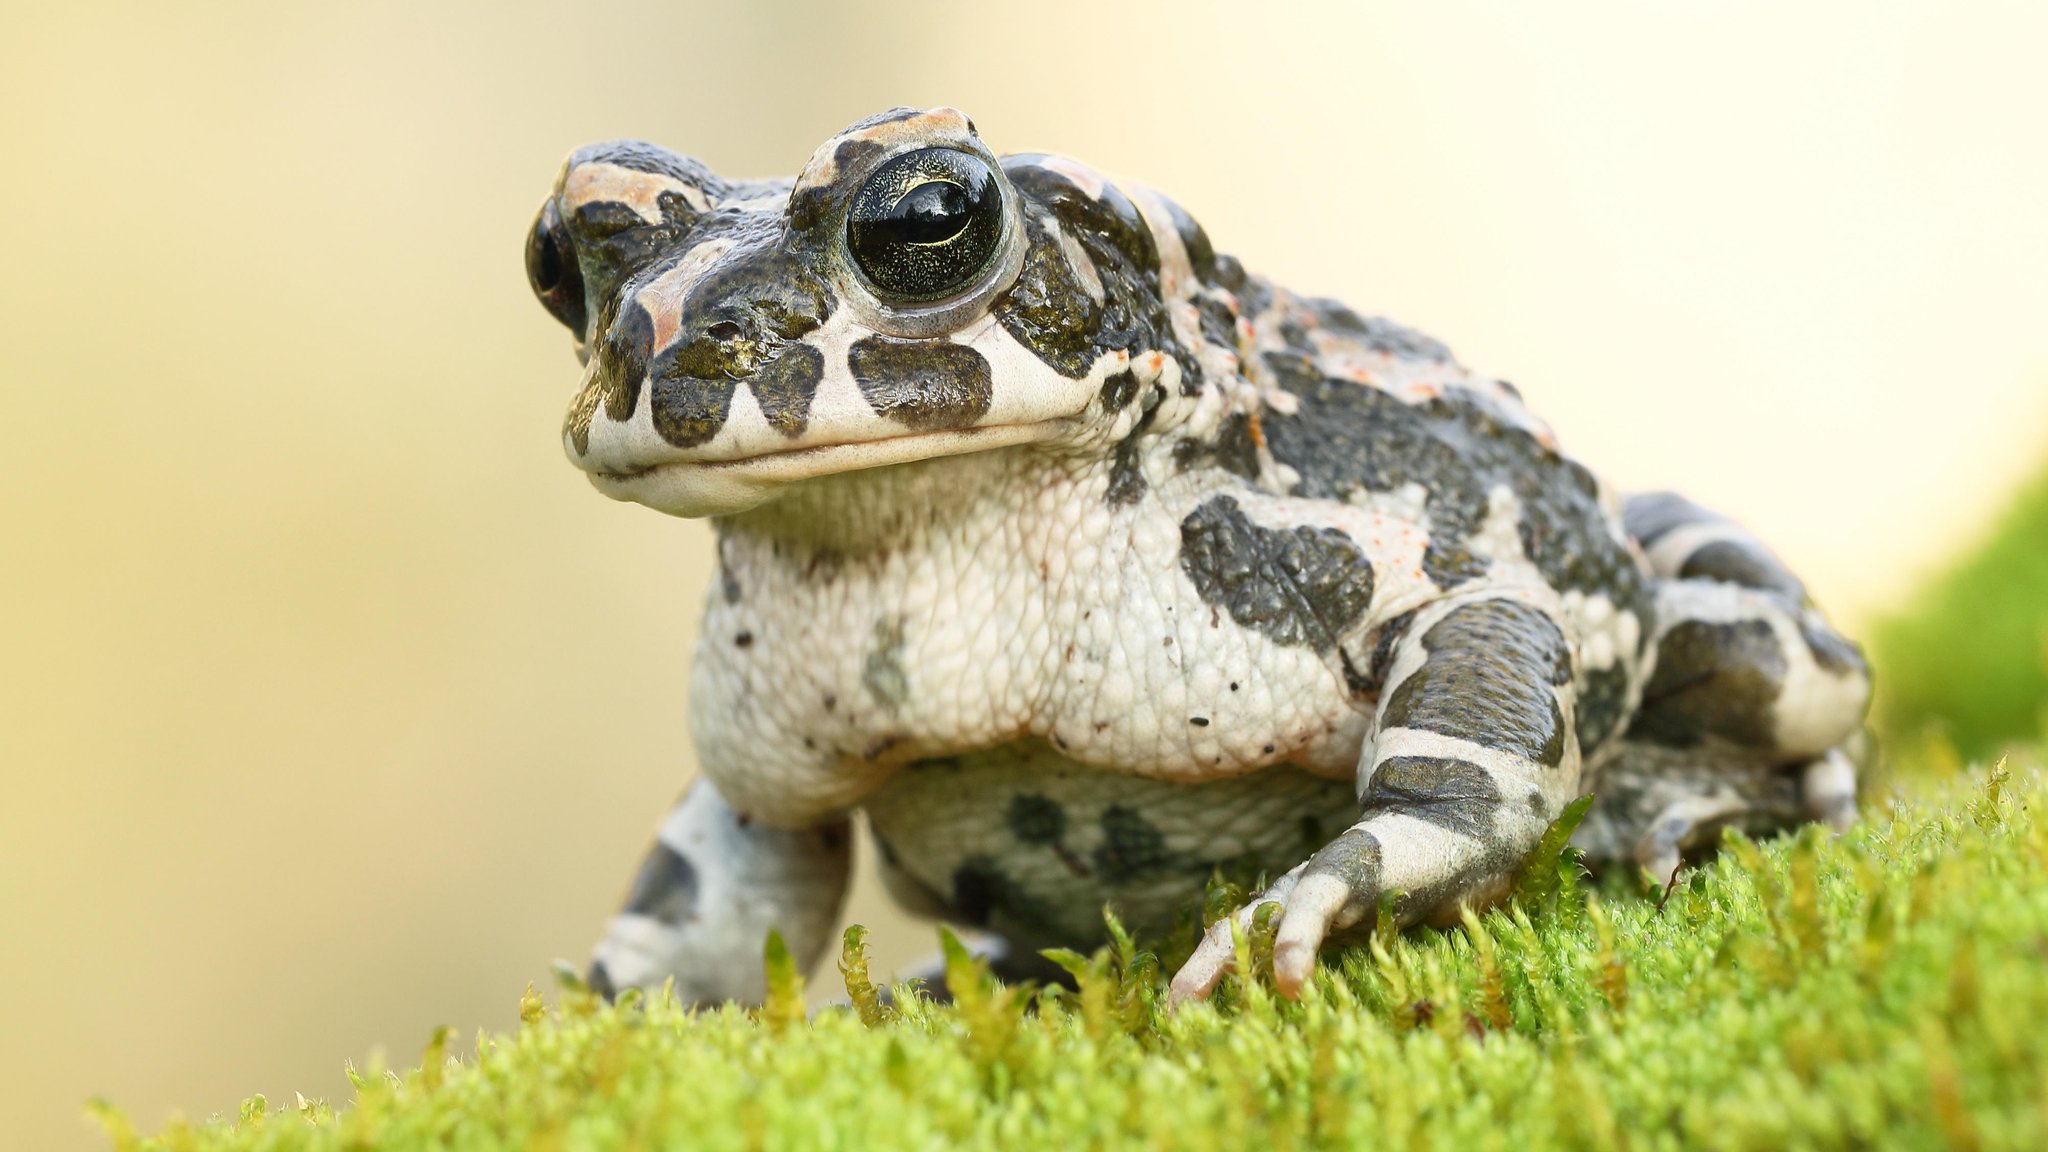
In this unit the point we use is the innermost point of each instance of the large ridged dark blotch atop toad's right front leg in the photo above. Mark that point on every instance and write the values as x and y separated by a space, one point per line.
1488 680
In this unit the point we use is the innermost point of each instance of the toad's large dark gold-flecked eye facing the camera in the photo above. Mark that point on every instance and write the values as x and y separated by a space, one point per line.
927 224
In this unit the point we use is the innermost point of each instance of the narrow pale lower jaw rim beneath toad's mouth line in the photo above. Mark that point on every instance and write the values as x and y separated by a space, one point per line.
726 487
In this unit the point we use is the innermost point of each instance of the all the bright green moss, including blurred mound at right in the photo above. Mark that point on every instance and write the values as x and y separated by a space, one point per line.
1885 989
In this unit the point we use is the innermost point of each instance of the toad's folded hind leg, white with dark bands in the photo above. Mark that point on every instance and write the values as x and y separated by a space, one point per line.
1754 704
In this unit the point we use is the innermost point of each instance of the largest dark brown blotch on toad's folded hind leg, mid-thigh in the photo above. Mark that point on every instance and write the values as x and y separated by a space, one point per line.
1713 680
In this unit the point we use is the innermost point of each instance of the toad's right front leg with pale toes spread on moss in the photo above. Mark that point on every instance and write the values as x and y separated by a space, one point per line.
1474 757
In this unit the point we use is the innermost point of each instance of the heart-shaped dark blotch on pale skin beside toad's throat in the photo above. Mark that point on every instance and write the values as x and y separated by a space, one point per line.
1299 585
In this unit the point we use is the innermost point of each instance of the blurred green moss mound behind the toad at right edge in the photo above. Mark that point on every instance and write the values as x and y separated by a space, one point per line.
1971 653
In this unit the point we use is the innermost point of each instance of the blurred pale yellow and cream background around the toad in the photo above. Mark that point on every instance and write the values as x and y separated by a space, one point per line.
318 723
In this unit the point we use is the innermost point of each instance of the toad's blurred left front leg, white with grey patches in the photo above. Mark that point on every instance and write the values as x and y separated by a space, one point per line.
710 891
